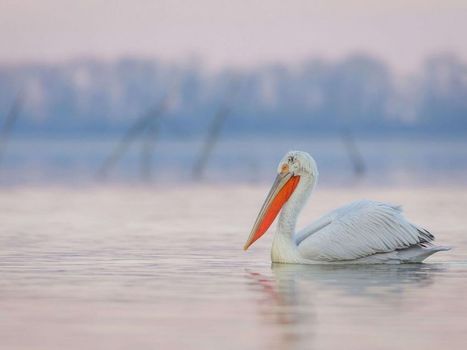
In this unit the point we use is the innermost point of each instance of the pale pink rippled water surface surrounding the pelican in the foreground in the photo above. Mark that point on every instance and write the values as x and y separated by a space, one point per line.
163 268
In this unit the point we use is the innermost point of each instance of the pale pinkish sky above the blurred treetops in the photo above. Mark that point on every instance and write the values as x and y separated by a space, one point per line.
220 32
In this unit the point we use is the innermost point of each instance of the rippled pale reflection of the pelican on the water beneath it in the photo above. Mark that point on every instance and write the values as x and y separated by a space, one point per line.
299 298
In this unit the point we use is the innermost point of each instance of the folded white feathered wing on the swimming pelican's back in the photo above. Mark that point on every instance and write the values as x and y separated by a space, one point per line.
358 230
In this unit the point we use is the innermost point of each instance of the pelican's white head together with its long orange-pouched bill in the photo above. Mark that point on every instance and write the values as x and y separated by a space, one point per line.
294 168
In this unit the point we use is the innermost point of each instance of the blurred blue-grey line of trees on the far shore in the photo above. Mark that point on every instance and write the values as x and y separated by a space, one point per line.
317 96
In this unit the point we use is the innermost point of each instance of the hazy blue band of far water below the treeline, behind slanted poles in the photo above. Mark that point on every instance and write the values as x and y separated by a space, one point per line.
386 161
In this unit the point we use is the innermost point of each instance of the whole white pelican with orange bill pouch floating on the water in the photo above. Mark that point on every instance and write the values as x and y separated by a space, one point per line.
362 232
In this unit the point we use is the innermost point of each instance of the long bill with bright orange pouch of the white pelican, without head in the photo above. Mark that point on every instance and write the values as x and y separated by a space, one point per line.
280 192
